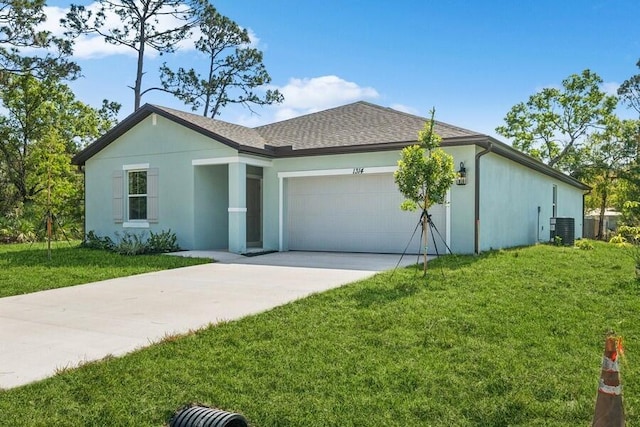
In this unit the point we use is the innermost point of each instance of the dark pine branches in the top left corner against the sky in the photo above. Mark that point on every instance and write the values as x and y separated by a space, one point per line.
19 20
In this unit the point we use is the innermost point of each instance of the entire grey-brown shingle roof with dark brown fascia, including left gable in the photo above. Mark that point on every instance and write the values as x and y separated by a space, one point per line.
356 125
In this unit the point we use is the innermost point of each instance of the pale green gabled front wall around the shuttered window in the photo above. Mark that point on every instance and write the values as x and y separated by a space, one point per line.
169 148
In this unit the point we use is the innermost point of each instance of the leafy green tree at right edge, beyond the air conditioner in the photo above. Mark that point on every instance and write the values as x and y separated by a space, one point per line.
609 156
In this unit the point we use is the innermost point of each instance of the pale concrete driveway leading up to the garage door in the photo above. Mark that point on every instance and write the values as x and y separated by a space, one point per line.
43 332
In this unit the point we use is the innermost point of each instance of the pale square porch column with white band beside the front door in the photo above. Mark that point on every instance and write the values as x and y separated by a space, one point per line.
238 207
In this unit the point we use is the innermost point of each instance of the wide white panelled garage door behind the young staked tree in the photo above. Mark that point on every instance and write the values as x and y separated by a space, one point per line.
354 213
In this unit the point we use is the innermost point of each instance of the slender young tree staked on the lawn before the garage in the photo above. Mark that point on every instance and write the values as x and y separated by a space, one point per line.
425 174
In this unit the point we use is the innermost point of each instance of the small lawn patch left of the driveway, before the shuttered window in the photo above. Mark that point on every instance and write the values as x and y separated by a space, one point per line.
26 268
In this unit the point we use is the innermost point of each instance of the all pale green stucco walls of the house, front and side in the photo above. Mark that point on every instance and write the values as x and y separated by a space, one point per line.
194 200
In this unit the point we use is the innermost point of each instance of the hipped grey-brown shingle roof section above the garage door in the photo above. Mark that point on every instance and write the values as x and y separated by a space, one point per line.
360 123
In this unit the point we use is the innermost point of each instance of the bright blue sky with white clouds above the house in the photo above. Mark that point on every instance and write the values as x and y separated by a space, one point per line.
470 60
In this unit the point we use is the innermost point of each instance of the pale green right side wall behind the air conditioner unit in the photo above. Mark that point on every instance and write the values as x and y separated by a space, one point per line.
516 204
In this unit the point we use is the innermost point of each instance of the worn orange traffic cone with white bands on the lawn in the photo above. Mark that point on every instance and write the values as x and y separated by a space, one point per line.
609 411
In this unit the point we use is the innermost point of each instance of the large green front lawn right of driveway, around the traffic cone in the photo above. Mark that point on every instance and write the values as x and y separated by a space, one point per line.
510 338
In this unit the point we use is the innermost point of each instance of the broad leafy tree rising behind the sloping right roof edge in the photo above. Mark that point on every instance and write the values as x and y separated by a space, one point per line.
554 124
